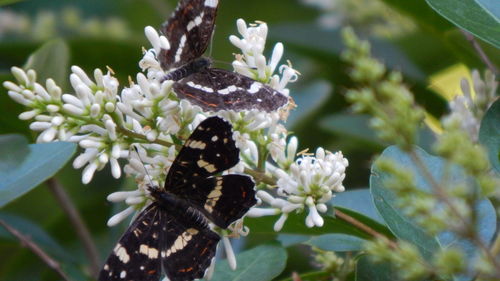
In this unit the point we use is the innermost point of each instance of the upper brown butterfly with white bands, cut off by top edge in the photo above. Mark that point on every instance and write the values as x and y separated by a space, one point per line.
189 30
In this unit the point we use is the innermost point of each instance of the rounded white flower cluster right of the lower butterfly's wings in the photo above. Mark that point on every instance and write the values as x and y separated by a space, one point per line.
308 182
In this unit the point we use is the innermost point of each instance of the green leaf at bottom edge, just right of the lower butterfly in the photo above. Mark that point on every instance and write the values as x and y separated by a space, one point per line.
258 264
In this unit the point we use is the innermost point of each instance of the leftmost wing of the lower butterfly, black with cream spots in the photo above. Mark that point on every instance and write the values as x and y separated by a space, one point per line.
136 256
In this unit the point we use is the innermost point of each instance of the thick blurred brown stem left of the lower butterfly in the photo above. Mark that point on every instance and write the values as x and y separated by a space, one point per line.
77 221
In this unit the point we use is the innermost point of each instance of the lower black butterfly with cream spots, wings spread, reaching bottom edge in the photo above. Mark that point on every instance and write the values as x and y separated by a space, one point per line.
172 235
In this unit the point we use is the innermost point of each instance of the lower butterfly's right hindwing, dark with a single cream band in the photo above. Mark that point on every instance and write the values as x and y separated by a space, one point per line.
224 199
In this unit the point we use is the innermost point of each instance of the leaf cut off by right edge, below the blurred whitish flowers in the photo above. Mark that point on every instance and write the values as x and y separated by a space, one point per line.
489 134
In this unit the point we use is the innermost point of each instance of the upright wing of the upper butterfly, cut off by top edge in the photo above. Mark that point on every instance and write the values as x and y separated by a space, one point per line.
189 31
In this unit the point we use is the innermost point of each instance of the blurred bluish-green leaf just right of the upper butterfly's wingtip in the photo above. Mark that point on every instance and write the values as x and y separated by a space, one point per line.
308 99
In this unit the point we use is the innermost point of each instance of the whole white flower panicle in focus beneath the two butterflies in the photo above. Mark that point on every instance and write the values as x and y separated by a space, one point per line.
140 122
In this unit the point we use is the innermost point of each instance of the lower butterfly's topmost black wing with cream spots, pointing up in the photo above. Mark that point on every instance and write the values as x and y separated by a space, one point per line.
209 150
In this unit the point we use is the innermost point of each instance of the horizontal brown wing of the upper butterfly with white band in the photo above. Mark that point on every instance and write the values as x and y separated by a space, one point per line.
216 89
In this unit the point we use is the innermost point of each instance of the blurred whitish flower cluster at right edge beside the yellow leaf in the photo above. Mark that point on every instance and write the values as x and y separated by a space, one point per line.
466 109
